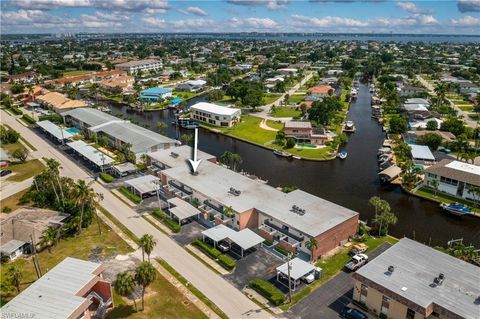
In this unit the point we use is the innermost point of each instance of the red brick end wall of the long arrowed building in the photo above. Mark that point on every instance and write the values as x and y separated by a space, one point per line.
332 237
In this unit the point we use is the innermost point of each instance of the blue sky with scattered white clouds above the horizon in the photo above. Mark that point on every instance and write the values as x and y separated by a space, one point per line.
350 16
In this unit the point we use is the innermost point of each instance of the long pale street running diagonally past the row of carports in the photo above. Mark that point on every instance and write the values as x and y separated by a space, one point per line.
223 294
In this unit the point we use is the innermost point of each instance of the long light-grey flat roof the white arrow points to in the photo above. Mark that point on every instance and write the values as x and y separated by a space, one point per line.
215 182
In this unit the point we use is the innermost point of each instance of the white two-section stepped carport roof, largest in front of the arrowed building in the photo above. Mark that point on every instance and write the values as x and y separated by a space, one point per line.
245 239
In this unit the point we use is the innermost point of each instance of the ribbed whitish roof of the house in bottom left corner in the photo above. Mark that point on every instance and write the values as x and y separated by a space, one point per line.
54 294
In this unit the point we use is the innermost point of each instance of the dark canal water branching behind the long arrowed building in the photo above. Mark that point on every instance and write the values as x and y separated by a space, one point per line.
350 182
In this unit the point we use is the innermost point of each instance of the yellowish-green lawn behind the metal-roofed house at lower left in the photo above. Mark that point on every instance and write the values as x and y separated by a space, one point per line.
80 246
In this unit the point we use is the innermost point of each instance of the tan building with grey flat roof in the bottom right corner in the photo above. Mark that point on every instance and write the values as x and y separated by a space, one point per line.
411 280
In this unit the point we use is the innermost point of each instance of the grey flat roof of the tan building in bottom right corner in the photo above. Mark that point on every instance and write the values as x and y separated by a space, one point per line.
415 267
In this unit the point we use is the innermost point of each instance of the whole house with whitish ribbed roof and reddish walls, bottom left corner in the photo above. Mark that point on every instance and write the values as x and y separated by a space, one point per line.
72 289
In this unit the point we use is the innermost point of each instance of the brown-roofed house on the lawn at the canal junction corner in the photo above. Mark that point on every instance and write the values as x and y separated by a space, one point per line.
303 132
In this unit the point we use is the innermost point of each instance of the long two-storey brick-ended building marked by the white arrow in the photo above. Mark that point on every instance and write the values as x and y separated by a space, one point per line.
288 220
